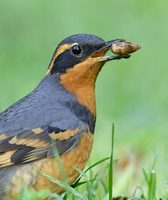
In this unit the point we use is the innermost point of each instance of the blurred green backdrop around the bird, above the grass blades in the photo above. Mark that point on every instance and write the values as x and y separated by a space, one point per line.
131 93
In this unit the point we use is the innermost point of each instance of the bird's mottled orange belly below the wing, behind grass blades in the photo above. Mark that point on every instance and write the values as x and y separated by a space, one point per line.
61 168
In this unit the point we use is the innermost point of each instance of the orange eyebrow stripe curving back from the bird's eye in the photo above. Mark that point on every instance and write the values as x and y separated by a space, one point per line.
60 50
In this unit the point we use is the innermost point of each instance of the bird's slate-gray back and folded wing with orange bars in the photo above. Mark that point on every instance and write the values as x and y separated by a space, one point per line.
34 125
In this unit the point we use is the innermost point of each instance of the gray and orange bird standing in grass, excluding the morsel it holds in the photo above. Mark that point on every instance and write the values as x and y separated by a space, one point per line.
51 129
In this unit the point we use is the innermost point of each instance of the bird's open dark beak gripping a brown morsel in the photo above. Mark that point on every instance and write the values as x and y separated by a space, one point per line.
99 54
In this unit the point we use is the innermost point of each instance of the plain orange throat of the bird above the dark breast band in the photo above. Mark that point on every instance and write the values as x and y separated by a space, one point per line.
80 80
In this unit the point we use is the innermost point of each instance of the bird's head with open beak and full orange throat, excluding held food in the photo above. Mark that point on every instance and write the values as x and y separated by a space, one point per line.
77 61
